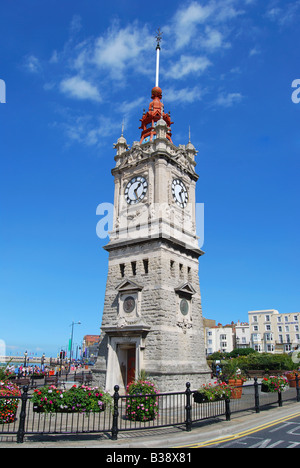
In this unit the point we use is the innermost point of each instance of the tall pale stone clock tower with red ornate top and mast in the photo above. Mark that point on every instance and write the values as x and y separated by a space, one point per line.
152 316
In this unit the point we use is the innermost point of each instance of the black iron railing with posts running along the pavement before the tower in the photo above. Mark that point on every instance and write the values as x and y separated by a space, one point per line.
173 409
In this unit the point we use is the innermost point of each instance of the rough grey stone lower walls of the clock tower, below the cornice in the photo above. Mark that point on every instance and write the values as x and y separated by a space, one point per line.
174 347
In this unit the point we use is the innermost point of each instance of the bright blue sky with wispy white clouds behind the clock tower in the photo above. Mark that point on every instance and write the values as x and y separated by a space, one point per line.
74 71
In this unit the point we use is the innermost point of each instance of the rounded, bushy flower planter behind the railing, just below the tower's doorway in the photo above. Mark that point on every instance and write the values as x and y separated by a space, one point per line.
143 402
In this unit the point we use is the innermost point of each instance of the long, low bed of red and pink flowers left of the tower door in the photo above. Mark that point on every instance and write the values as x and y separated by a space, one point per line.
82 399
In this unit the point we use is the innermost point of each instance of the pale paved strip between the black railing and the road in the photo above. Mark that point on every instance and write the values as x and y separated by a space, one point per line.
175 438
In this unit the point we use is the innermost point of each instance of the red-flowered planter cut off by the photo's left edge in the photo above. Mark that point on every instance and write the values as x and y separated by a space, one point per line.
9 405
